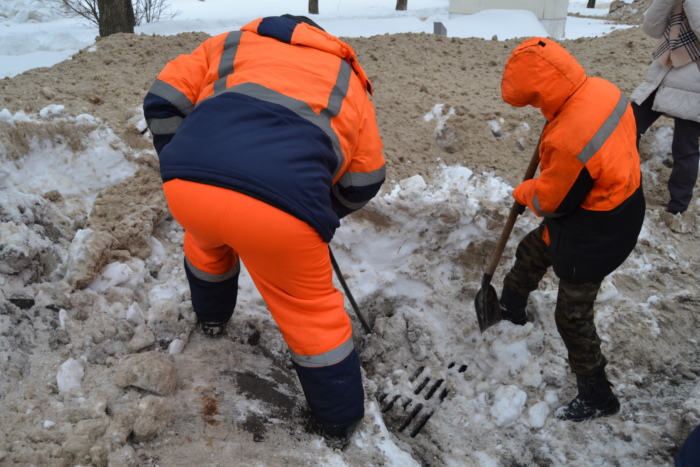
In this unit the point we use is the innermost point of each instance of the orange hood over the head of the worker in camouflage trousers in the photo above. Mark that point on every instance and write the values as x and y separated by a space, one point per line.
541 73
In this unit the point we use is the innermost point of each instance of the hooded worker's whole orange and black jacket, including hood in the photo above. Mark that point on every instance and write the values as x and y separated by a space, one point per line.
589 186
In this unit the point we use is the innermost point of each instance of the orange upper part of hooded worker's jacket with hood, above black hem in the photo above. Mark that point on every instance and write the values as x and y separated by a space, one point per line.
588 155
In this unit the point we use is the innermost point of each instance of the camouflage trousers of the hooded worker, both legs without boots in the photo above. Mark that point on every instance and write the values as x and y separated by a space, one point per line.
574 310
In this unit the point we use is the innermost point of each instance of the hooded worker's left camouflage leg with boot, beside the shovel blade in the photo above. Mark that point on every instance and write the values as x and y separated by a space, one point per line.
531 263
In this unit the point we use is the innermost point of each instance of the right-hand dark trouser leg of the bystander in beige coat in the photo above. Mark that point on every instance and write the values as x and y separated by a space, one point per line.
686 156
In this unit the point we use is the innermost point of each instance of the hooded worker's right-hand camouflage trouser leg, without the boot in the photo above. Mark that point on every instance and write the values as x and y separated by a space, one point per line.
574 317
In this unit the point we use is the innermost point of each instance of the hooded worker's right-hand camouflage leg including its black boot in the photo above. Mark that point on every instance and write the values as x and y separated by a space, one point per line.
575 321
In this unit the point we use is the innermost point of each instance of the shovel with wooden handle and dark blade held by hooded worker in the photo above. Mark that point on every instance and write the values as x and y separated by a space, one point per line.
488 310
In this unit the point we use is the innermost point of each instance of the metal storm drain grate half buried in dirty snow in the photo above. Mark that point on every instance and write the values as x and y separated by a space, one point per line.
411 413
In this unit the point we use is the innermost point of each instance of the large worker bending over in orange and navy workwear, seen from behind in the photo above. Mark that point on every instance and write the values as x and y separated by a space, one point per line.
266 138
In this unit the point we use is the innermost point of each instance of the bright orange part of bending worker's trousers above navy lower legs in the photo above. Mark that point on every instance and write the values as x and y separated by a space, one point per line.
287 259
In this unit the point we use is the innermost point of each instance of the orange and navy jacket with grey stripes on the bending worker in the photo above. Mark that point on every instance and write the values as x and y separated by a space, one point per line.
279 111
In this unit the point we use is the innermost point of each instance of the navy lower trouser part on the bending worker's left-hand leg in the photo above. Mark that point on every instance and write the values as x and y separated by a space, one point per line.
213 296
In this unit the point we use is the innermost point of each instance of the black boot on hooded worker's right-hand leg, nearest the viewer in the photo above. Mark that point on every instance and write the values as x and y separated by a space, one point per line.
595 399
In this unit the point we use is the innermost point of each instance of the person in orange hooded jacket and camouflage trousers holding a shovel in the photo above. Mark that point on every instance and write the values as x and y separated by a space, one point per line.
590 195
